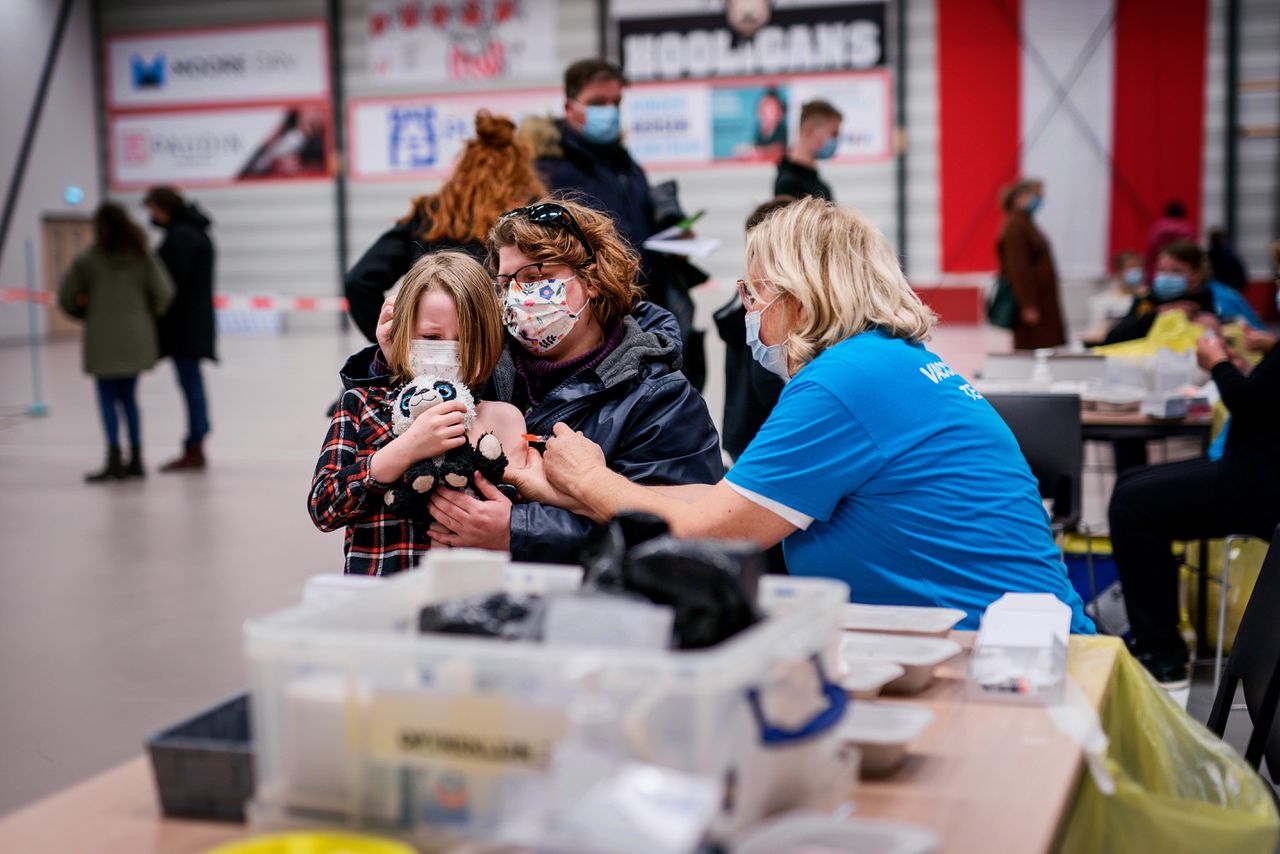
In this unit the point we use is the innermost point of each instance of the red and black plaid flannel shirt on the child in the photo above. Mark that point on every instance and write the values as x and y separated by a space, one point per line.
344 492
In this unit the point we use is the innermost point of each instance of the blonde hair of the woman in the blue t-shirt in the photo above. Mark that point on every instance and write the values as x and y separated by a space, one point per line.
842 272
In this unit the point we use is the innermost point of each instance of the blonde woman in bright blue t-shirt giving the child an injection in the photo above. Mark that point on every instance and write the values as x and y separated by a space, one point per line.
880 465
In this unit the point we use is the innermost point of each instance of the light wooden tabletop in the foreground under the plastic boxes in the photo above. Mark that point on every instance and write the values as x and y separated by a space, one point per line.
986 778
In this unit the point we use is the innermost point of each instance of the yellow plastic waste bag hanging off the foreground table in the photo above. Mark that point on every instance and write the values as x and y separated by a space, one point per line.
1178 788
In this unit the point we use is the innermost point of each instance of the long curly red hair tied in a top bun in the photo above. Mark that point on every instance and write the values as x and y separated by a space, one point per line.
495 175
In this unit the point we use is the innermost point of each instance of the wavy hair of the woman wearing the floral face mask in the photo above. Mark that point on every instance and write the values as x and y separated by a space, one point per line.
614 272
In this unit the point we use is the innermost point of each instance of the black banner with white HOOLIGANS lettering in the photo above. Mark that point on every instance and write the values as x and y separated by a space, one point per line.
751 38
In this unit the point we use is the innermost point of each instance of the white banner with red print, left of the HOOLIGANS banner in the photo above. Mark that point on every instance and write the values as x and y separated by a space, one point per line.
442 42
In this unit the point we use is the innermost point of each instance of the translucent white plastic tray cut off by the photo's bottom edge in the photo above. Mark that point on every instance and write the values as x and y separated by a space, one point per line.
817 833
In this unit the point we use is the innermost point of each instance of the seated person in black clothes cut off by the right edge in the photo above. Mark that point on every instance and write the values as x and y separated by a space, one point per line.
1154 506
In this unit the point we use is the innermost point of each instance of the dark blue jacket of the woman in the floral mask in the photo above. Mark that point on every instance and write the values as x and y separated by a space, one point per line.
652 424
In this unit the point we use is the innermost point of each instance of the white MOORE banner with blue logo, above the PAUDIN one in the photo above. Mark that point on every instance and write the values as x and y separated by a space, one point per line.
236 66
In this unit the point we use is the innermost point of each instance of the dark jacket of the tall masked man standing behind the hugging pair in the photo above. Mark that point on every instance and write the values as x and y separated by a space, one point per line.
607 176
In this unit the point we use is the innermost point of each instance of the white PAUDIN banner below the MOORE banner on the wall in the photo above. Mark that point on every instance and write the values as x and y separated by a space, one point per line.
220 147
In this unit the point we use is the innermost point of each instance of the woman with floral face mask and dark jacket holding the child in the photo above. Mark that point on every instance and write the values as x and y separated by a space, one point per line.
583 349
